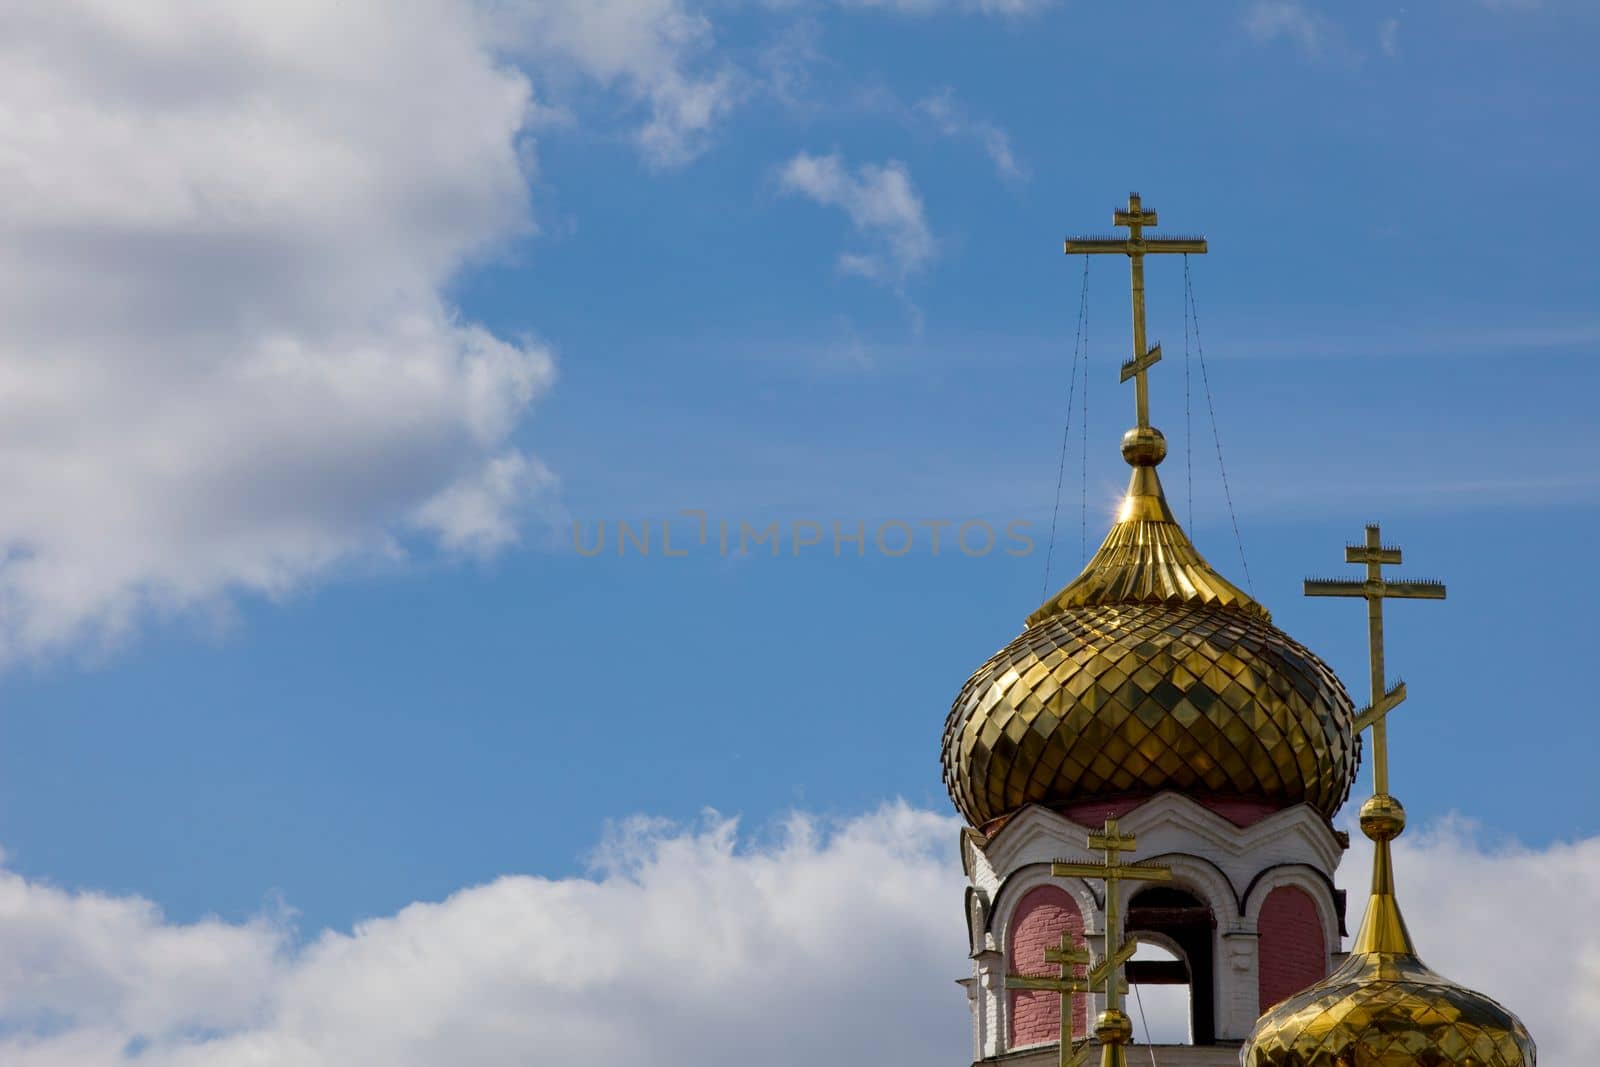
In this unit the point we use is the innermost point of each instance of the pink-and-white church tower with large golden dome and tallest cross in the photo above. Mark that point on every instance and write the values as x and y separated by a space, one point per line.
1154 706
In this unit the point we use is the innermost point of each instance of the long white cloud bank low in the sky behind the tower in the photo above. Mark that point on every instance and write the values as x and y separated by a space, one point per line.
815 945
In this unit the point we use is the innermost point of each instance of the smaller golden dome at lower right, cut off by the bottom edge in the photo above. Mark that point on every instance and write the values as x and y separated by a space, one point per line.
1383 1005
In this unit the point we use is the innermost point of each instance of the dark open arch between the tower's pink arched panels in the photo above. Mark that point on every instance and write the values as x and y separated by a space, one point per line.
1178 921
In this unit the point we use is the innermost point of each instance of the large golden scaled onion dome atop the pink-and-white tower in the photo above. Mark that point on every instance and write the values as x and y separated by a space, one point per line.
1150 673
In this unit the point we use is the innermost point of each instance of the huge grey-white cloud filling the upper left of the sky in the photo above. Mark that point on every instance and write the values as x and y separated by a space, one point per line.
226 354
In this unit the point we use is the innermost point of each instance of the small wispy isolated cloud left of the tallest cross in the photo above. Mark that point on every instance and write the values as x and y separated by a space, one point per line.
881 202
